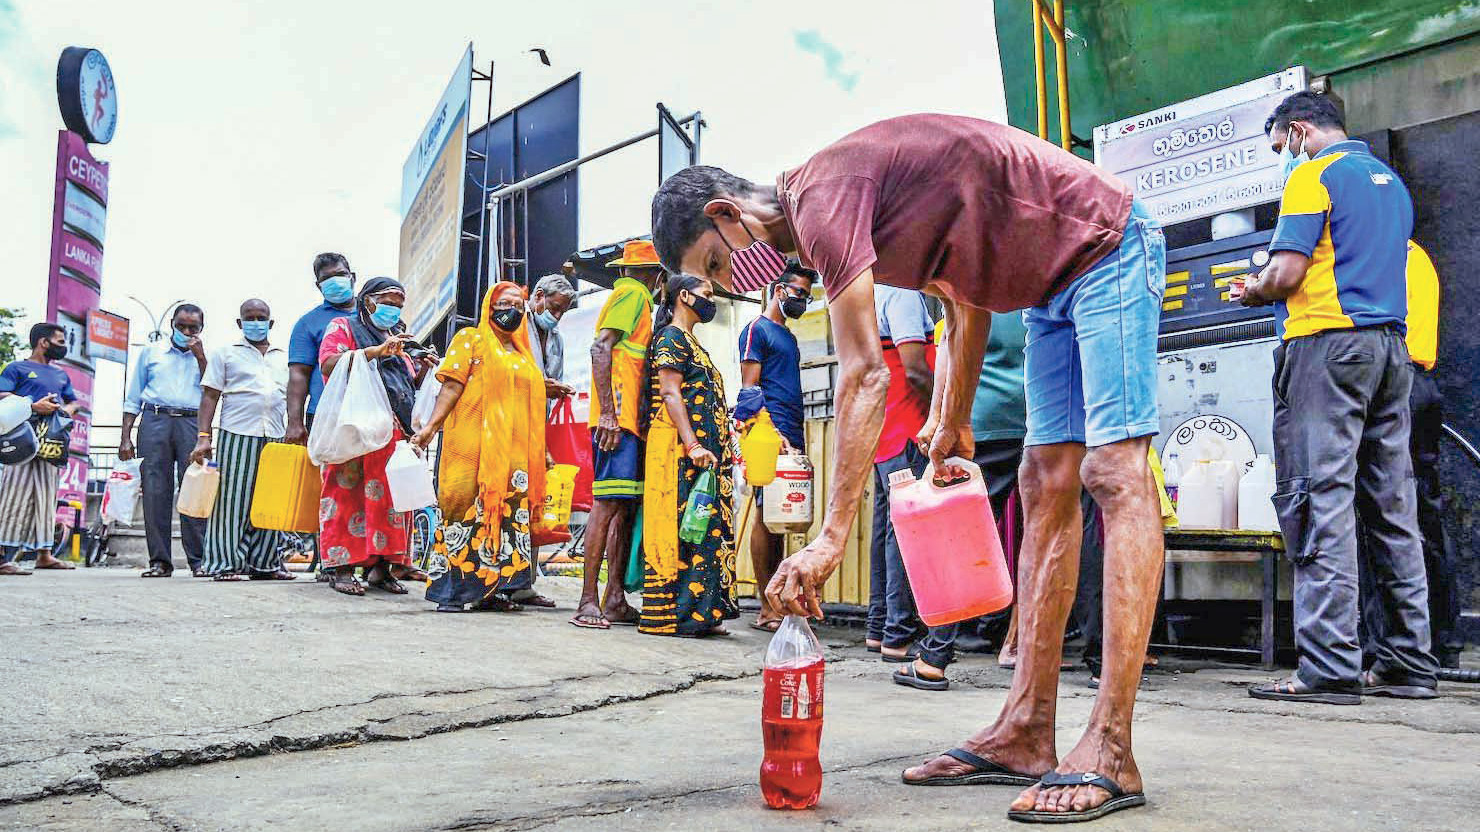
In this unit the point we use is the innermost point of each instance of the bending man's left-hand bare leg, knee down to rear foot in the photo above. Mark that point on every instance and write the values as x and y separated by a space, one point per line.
1023 737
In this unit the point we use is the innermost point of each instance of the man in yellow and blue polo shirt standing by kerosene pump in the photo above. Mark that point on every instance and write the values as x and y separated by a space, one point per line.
1342 421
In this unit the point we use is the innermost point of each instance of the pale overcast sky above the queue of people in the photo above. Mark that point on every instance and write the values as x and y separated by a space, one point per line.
254 135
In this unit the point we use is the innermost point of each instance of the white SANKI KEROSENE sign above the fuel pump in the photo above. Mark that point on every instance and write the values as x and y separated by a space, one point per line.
1205 156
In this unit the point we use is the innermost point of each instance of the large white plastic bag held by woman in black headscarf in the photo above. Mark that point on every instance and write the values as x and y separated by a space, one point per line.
354 414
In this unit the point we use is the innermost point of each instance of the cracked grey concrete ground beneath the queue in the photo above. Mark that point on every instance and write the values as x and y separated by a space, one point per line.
192 705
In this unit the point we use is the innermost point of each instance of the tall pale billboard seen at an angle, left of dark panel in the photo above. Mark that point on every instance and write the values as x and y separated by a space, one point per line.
431 207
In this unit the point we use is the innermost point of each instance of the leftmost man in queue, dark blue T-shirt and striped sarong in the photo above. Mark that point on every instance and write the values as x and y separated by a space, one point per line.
29 491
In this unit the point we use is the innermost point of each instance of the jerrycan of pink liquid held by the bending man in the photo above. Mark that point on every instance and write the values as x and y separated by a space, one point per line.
949 544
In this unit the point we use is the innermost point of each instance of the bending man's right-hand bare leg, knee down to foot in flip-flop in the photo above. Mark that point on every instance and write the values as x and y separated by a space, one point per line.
1121 482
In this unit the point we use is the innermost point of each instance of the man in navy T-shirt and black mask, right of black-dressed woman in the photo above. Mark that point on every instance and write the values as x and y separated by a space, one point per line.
772 363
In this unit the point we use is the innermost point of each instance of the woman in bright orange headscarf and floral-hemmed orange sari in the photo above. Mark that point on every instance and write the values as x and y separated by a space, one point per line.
492 483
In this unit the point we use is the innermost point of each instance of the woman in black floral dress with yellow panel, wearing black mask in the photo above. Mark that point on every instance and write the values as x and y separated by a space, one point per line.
687 587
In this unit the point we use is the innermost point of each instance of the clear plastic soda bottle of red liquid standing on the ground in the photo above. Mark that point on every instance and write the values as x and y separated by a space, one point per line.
793 717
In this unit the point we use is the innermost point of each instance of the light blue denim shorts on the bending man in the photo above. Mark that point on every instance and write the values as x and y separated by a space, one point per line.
1091 349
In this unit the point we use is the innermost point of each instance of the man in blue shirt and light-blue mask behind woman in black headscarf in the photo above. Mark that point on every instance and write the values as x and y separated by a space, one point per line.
337 284
